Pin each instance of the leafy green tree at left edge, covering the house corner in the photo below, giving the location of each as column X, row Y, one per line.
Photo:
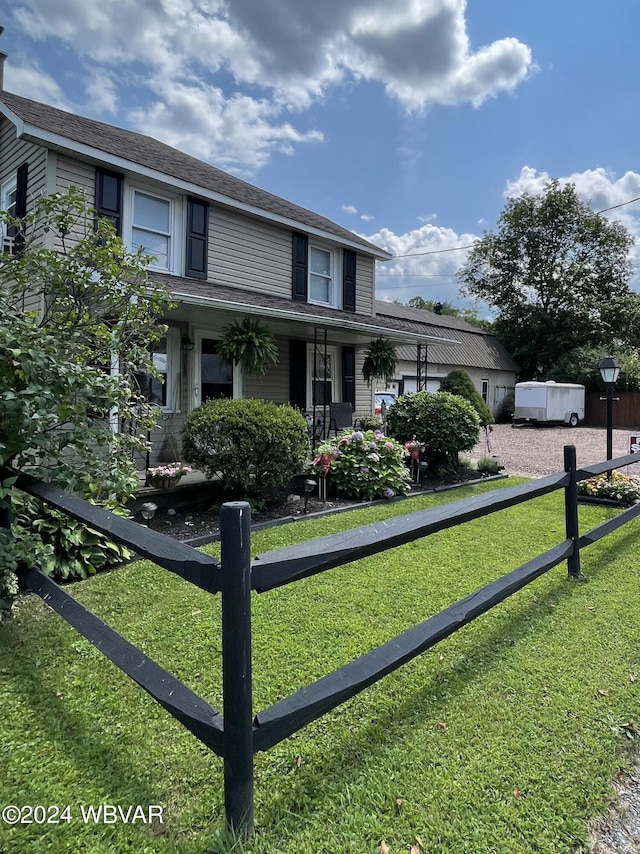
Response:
column 77, row 318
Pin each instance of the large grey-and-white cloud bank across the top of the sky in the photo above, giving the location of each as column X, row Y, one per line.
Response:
column 265, row 59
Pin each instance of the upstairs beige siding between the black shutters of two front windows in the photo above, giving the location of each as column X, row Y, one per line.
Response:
column 248, row 253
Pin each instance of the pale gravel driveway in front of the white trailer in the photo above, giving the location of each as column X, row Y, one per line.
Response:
column 539, row 450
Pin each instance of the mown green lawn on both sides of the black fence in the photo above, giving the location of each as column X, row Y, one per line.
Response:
column 502, row 739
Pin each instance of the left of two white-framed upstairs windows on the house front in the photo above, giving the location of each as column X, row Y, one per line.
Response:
column 153, row 227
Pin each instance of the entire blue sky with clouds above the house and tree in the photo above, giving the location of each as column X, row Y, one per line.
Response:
column 408, row 121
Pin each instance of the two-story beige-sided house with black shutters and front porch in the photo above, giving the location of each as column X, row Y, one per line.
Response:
column 226, row 249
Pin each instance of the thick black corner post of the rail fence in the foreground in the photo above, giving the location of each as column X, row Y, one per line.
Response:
column 235, row 543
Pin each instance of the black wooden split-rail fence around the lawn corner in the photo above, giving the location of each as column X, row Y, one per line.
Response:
column 235, row 575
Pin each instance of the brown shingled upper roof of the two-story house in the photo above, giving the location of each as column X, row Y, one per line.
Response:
column 40, row 122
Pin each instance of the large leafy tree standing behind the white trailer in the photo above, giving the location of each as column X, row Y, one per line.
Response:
column 557, row 275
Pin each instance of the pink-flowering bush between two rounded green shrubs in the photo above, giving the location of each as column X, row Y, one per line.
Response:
column 365, row 464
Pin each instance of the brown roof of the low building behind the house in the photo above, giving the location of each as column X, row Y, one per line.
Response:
column 475, row 348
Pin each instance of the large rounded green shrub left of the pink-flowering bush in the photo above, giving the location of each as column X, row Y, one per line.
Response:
column 255, row 446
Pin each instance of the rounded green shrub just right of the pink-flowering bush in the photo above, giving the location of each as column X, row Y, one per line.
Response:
column 446, row 423
